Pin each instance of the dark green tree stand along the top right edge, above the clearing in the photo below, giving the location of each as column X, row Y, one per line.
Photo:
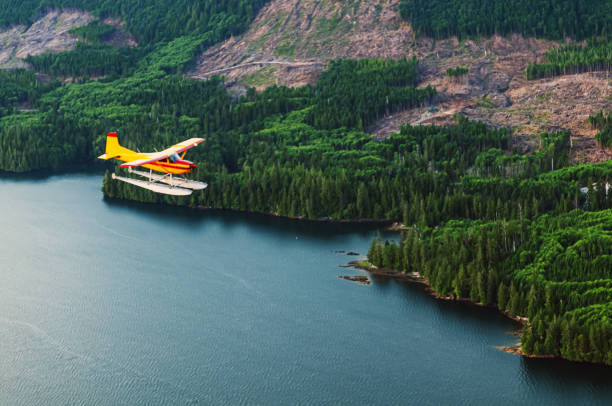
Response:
column 554, row 19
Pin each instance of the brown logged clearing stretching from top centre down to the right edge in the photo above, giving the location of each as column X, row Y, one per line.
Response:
column 290, row 42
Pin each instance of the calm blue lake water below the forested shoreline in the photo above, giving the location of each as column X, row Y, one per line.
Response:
column 114, row 303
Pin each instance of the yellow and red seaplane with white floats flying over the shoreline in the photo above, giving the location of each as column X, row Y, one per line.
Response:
column 167, row 162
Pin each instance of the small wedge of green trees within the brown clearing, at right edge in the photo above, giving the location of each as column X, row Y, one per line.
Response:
column 570, row 59
